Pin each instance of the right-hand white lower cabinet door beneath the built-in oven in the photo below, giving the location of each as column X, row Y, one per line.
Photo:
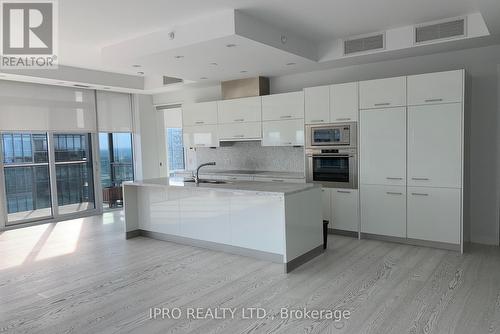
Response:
column 345, row 209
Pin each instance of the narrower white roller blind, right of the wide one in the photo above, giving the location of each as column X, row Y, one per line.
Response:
column 114, row 112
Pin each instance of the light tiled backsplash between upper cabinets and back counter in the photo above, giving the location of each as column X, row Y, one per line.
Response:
column 250, row 156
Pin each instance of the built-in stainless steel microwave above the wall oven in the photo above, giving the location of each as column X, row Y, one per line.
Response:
column 335, row 134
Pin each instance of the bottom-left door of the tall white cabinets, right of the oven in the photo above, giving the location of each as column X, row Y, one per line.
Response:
column 383, row 210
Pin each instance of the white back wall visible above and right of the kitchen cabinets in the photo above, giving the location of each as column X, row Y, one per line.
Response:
column 481, row 65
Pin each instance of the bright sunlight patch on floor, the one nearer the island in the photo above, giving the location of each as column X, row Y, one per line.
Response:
column 62, row 240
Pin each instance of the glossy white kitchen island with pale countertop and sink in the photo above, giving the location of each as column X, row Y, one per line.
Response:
column 276, row 222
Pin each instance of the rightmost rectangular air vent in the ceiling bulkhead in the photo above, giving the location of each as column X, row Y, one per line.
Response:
column 438, row 31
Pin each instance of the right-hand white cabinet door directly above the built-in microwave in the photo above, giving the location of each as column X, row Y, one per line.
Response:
column 344, row 102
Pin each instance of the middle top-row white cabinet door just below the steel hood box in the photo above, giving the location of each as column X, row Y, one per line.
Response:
column 248, row 109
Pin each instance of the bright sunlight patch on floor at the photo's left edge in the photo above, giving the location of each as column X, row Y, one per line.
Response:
column 18, row 244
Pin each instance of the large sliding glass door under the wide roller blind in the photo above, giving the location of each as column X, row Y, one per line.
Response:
column 47, row 175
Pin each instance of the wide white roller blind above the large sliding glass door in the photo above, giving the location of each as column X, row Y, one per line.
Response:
column 35, row 107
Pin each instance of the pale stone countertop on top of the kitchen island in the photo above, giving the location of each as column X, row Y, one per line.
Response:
column 249, row 186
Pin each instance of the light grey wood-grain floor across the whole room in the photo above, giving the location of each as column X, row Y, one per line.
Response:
column 81, row 276
